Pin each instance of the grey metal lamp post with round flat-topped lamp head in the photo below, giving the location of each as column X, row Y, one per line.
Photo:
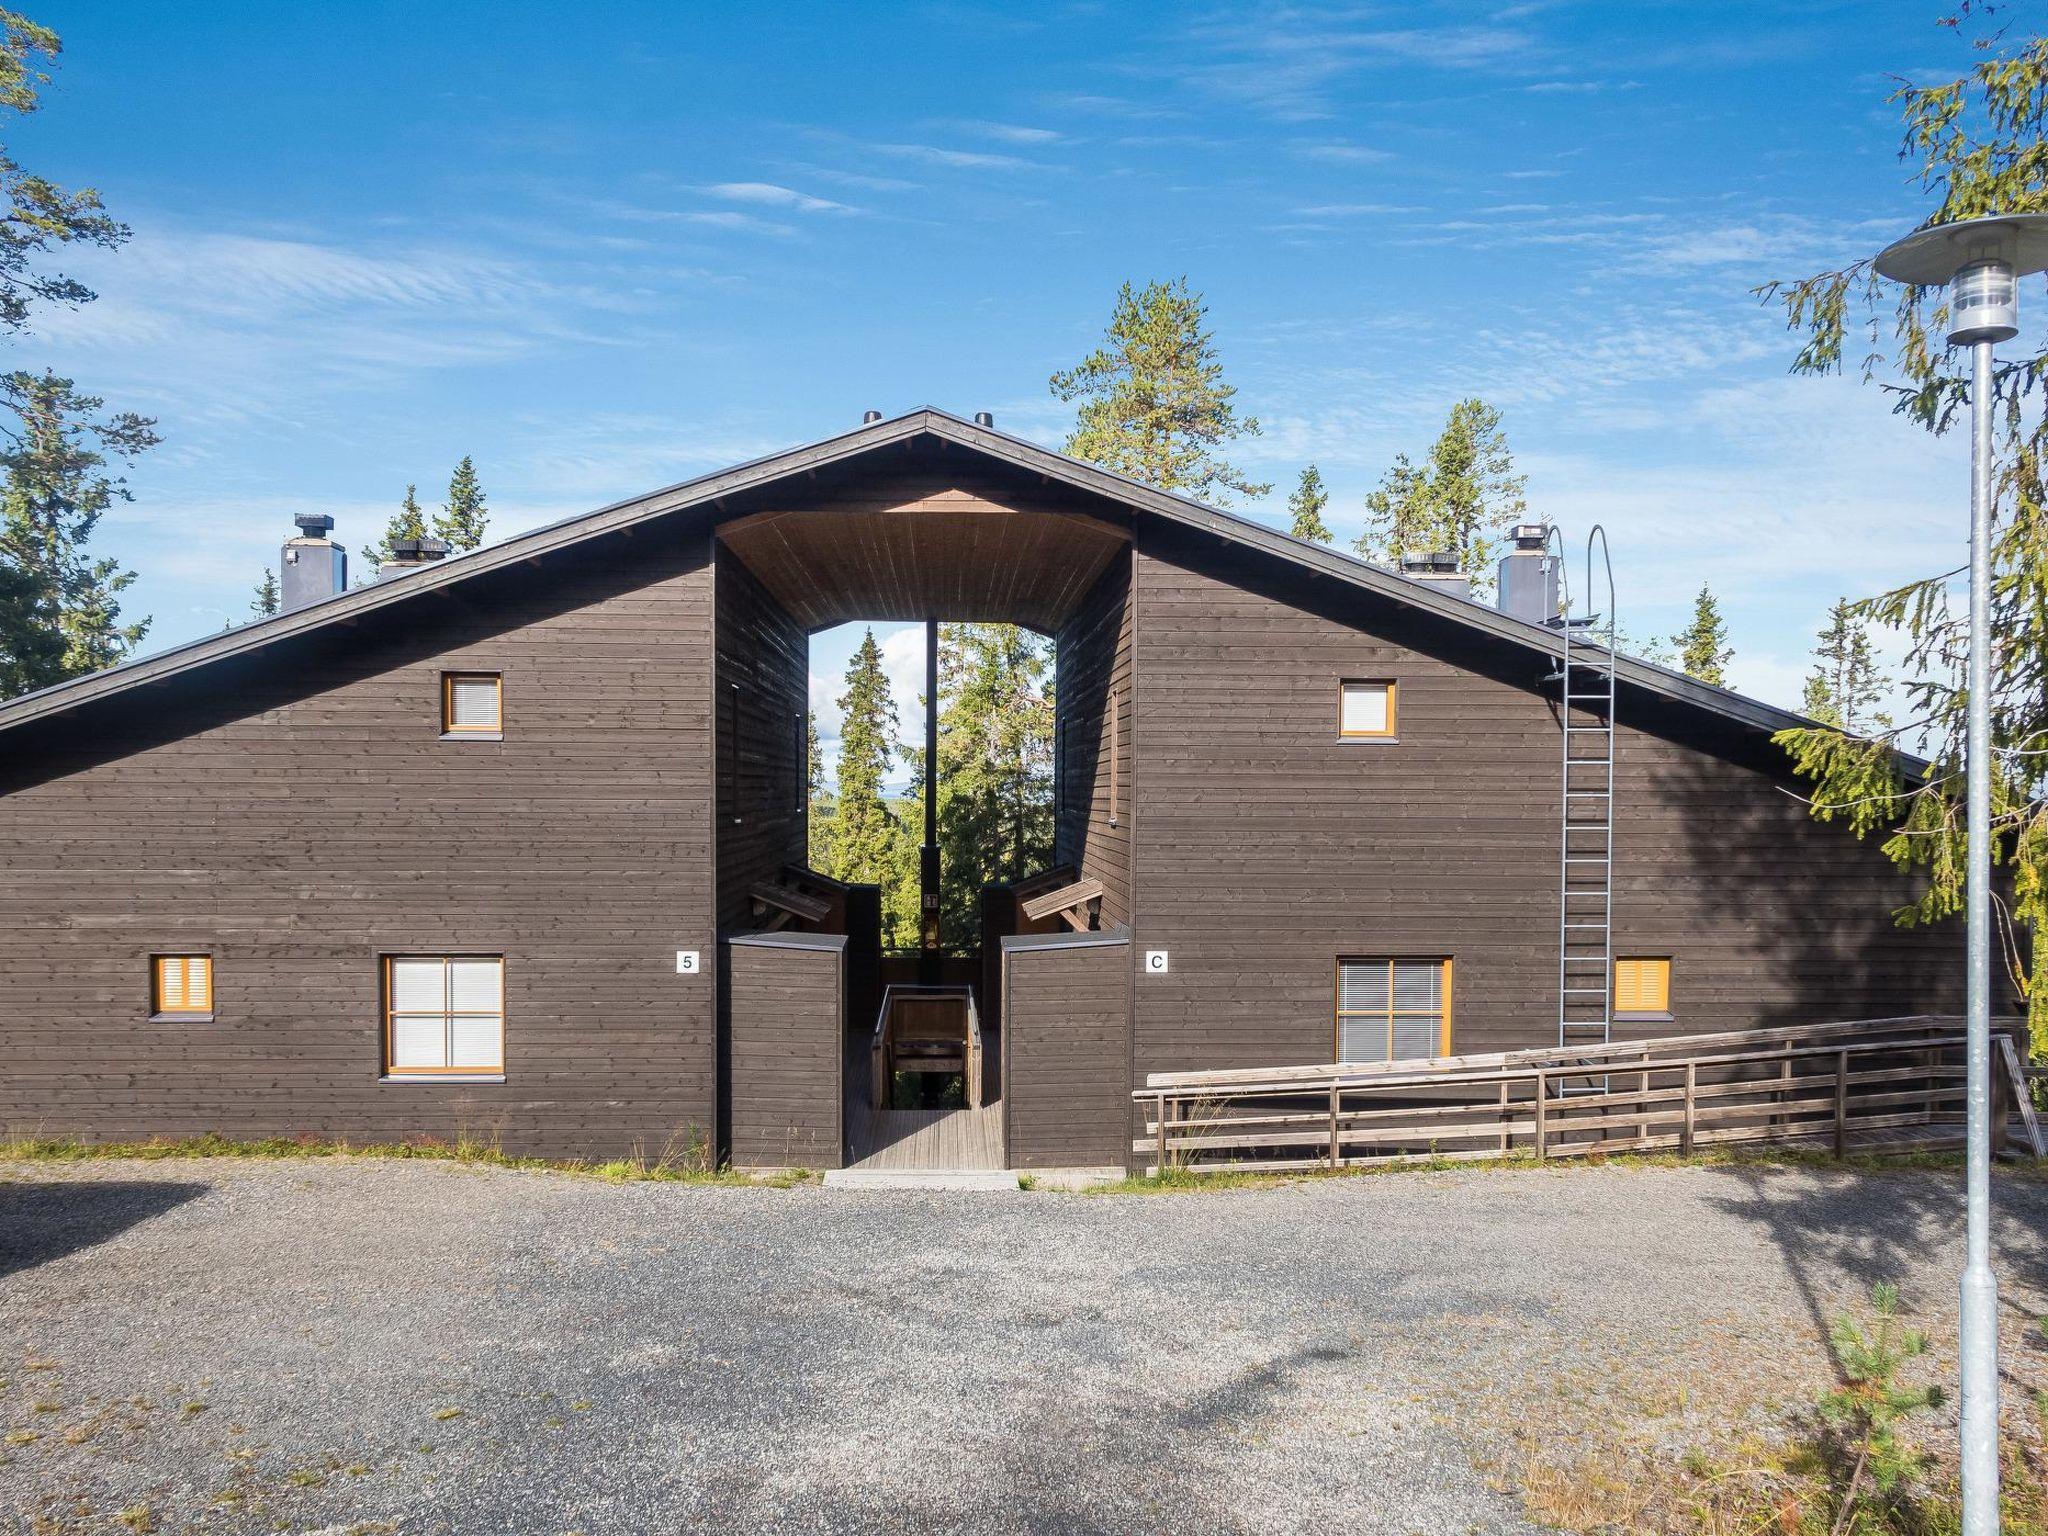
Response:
column 1981, row 261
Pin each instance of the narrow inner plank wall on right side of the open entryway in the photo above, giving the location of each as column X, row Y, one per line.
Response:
column 1097, row 806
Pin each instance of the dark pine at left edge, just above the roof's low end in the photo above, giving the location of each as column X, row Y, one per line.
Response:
column 62, row 613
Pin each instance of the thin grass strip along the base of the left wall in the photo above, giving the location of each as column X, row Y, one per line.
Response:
column 683, row 1160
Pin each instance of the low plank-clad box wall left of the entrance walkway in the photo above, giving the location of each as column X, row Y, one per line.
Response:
column 787, row 1002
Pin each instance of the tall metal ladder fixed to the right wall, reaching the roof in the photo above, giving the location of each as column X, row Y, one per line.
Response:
column 1586, row 816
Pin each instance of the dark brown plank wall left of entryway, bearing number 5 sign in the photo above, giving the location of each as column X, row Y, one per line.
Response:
column 304, row 818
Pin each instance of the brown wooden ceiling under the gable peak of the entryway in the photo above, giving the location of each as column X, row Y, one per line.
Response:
column 927, row 546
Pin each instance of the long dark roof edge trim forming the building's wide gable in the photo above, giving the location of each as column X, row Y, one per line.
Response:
column 1000, row 447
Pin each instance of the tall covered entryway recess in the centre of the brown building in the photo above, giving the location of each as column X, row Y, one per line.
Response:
column 923, row 1054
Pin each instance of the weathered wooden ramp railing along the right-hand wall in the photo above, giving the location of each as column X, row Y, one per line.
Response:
column 1893, row 1084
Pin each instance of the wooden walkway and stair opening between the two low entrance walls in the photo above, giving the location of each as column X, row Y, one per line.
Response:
column 925, row 1052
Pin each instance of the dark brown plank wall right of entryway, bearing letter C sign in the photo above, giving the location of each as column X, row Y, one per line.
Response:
column 1269, row 847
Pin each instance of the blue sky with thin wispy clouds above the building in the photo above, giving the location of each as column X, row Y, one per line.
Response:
column 611, row 249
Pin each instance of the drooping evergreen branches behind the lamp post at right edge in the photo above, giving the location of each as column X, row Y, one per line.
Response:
column 1975, row 144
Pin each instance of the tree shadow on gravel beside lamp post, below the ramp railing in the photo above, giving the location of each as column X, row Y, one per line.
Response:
column 1840, row 1236
